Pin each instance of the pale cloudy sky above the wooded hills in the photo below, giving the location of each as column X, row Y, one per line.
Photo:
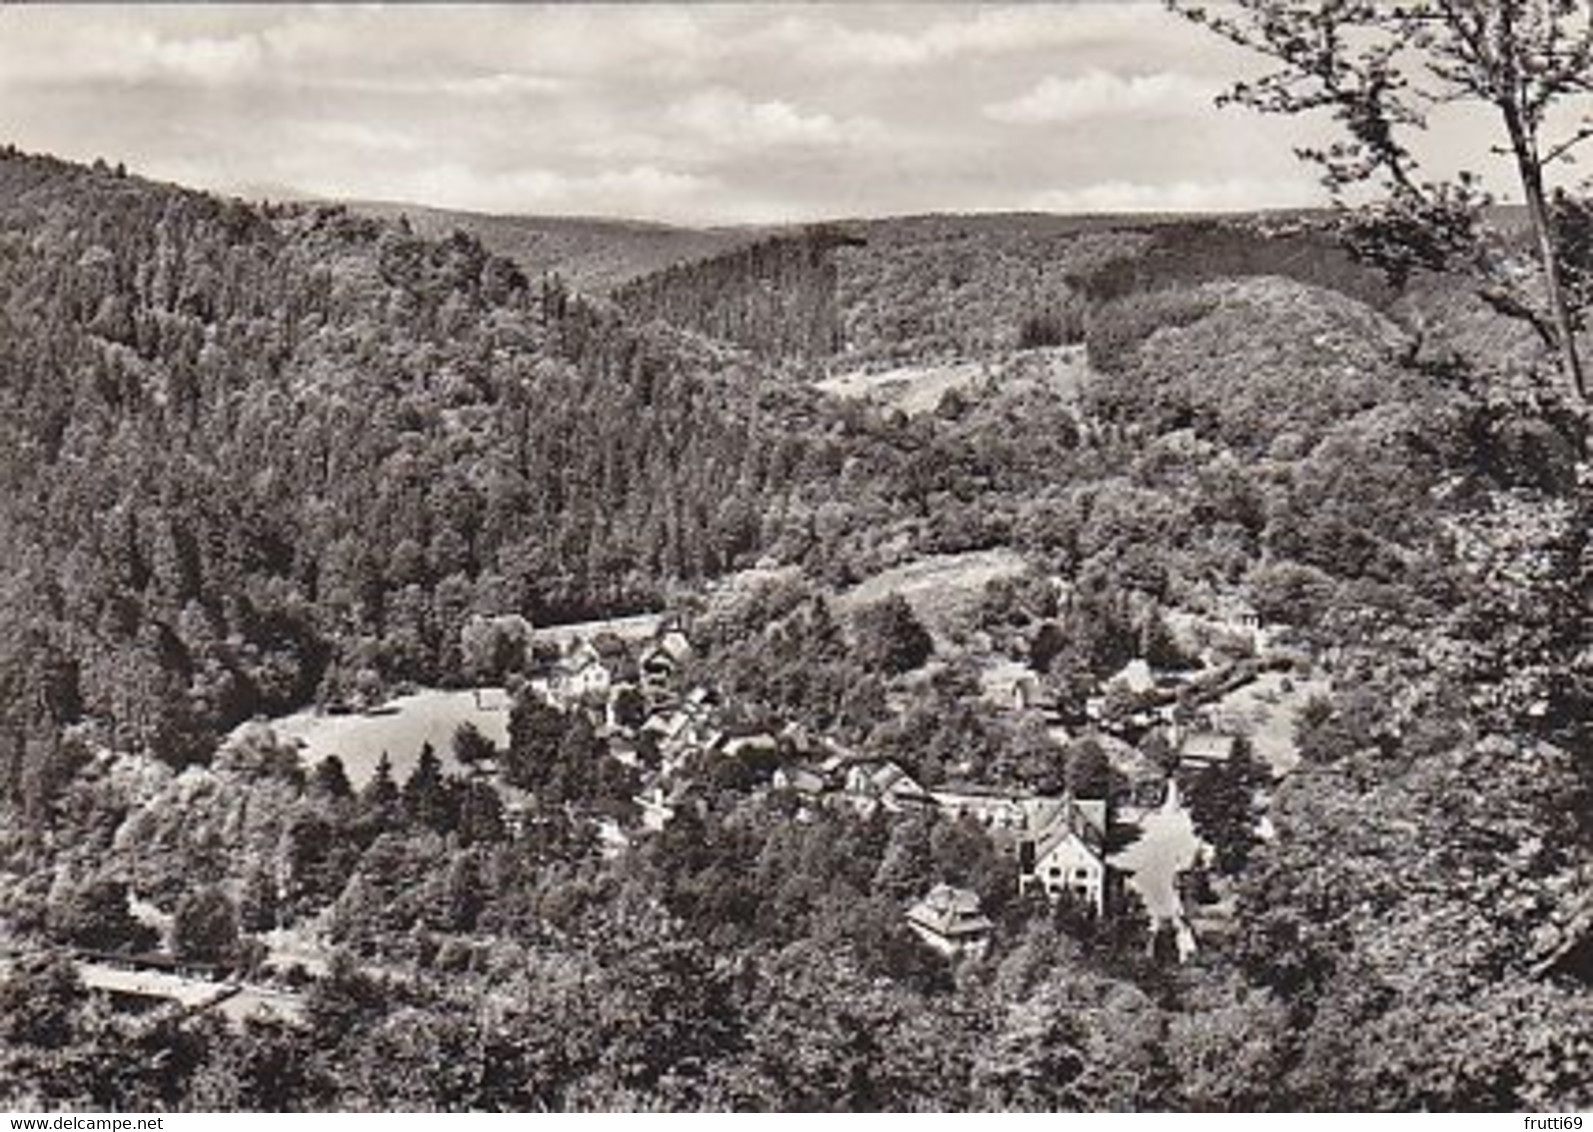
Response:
column 687, row 114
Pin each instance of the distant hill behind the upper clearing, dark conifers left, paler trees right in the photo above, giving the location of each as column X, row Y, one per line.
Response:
column 885, row 292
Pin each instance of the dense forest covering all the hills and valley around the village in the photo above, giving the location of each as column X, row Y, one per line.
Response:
column 257, row 458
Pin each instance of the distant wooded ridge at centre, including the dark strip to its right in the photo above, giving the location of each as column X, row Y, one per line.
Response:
column 879, row 294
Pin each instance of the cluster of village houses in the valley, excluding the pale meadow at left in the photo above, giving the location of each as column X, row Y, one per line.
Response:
column 1243, row 685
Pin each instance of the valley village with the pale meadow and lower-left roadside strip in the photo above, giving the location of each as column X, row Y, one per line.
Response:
column 1111, row 854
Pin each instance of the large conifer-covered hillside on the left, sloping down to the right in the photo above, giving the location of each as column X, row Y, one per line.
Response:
column 251, row 456
